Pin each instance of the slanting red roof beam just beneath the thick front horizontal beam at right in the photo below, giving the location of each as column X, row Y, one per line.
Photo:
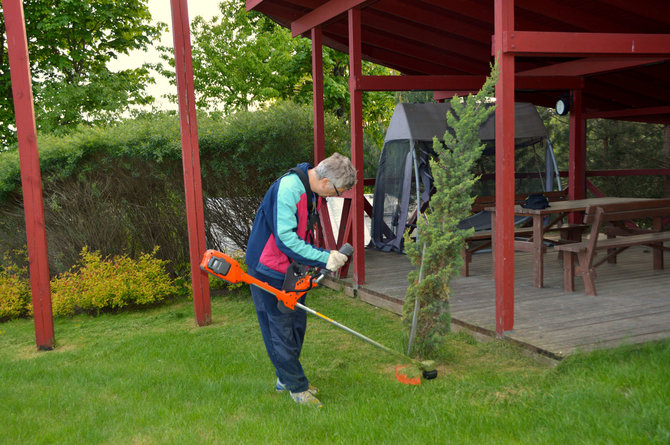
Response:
column 591, row 65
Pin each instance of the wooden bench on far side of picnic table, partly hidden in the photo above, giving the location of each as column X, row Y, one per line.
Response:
column 481, row 239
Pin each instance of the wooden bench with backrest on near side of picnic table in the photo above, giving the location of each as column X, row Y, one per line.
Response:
column 611, row 218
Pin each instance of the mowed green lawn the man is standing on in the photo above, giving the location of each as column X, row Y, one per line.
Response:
column 155, row 377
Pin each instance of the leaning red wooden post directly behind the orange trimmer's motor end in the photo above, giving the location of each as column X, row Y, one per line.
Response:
column 191, row 159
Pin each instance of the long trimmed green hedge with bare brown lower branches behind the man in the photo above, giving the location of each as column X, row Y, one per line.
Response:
column 118, row 189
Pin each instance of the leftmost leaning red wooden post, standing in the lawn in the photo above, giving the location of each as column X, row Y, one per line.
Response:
column 31, row 179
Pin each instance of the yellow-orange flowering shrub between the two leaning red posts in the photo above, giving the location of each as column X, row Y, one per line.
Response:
column 98, row 283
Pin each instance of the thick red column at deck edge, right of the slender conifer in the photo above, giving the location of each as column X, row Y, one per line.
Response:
column 504, row 219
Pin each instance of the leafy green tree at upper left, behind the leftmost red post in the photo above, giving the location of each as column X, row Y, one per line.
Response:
column 70, row 43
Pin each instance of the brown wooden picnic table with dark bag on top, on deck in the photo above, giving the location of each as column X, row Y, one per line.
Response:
column 556, row 212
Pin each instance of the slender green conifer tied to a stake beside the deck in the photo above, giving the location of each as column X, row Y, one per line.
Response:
column 436, row 251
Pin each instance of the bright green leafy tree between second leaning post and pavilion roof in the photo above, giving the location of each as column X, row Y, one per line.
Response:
column 243, row 59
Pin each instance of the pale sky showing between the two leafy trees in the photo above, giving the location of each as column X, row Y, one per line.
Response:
column 160, row 12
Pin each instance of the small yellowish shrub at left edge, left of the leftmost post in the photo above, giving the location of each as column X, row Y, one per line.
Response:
column 15, row 296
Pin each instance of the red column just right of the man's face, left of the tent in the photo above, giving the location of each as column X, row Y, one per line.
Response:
column 356, row 96
